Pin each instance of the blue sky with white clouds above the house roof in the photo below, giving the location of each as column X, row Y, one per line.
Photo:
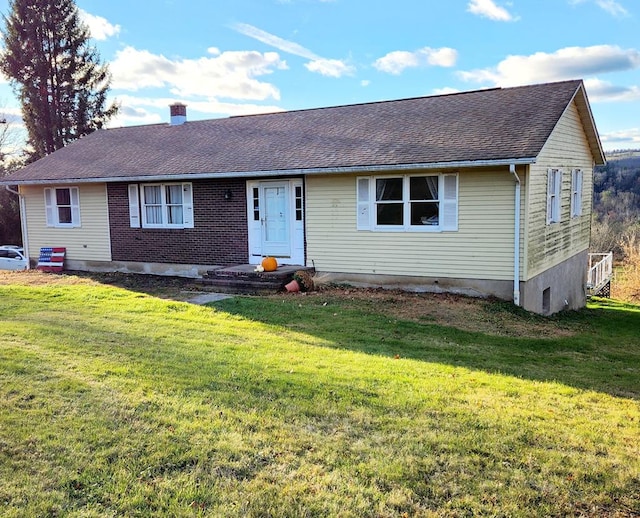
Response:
column 224, row 57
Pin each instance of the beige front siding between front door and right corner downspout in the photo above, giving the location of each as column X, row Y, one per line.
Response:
column 481, row 248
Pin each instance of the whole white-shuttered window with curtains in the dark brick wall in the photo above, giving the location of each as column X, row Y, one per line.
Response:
column 161, row 205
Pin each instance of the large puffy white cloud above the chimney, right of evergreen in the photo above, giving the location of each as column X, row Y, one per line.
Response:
column 227, row 74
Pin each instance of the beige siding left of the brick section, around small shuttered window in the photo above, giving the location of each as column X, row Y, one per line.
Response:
column 89, row 242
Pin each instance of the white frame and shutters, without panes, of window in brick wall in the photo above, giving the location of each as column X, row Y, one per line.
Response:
column 137, row 212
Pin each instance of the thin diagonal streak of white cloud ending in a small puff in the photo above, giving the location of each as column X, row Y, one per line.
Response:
column 323, row 66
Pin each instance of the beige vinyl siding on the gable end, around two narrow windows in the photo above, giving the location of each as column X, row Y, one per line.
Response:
column 566, row 149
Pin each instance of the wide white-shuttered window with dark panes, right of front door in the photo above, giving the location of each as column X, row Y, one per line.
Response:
column 408, row 202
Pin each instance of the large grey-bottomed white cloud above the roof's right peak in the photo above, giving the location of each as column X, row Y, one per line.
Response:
column 567, row 63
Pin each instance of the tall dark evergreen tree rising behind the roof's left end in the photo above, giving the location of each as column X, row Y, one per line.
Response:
column 56, row 73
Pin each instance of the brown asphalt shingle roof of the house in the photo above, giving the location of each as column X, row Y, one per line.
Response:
column 484, row 125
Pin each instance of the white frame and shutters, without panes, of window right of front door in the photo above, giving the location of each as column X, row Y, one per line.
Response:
column 447, row 209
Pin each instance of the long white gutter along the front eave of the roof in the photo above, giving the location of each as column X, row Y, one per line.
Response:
column 281, row 172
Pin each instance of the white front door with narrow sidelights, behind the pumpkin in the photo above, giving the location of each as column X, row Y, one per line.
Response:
column 275, row 218
